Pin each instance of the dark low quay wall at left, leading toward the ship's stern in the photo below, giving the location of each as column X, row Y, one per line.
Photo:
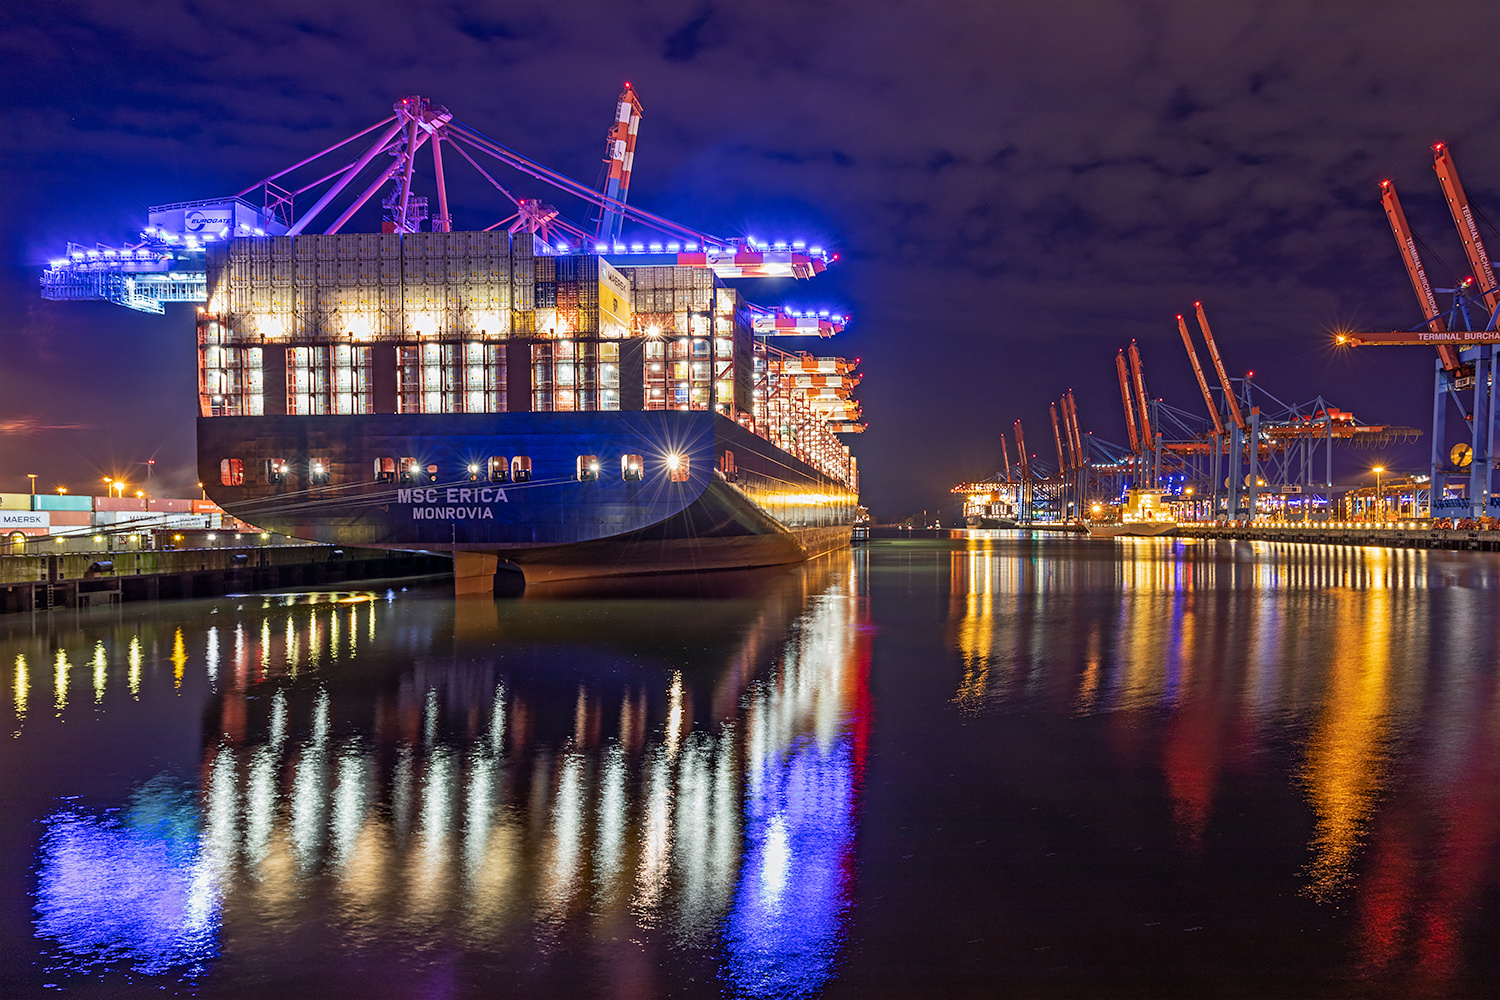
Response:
column 79, row 579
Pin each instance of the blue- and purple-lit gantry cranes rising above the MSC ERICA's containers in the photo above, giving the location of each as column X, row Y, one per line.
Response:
column 167, row 262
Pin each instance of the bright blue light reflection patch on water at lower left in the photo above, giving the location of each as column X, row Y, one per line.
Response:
column 130, row 891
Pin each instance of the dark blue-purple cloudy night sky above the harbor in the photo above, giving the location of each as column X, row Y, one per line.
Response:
column 1016, row 190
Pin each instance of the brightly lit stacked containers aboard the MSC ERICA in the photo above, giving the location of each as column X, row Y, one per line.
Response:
column 430, row 323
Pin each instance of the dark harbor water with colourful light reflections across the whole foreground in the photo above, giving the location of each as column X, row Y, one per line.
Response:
column 989, row 765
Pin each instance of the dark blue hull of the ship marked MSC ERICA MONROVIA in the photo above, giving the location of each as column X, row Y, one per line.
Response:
column 742, row 501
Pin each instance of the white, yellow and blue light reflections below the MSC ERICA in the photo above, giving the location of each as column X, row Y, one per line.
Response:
column 512, row 779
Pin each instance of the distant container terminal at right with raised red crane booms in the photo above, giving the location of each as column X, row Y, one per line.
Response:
column 1243, row 463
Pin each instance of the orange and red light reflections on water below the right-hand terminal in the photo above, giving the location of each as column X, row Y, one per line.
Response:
column 1225, row 647
